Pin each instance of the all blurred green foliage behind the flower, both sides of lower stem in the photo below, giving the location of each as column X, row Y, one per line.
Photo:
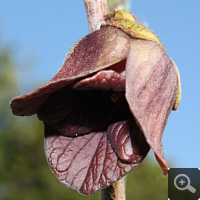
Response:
column 24, row 173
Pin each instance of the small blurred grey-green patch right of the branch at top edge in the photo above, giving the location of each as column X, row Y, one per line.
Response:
column 119, row 4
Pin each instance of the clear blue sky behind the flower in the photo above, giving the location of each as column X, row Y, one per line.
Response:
column 42, row 32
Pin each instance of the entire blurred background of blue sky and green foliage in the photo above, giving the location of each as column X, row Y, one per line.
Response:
column 34, row 39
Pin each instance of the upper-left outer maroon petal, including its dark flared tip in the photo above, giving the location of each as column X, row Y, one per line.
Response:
column 94, row 52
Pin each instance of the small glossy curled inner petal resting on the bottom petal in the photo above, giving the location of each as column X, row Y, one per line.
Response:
column 128, row 141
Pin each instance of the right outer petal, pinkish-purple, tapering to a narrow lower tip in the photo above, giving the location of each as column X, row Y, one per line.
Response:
column 151, row 89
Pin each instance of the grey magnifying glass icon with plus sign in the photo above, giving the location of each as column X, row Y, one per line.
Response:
column 182, row 182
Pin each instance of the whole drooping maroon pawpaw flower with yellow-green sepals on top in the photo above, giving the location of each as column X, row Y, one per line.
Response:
column 107, row 105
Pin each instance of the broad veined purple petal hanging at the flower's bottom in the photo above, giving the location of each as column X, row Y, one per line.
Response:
column 85, row 163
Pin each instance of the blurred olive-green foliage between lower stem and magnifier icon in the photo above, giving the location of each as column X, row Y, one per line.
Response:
column 147, row 182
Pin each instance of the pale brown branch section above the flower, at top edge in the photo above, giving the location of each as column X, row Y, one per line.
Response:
column 96, row 11
